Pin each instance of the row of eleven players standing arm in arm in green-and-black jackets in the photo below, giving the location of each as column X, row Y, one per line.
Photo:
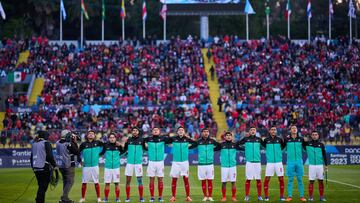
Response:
column 155, row 145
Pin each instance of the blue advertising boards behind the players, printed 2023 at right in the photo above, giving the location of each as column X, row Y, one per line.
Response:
column 336, row 155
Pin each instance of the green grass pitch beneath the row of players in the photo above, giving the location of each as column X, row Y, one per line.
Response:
column 343, row 186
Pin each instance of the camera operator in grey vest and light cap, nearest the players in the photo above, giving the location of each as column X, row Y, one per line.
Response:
column 66, row 150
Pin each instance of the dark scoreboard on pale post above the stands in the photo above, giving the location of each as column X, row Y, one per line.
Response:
column 204, row 10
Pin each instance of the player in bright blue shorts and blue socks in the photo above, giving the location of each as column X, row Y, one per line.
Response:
column 294, row 146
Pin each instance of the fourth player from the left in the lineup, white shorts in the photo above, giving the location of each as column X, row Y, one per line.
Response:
column 155, row 145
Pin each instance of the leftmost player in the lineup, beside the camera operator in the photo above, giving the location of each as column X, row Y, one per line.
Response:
column 90, row 151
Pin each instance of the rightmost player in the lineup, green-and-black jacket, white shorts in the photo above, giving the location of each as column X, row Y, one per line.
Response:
column 317, row 161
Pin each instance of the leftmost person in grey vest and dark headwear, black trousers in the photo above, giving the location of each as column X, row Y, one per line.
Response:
column 42, row 163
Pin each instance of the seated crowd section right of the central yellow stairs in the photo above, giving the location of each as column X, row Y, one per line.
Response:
column 315, row 86
